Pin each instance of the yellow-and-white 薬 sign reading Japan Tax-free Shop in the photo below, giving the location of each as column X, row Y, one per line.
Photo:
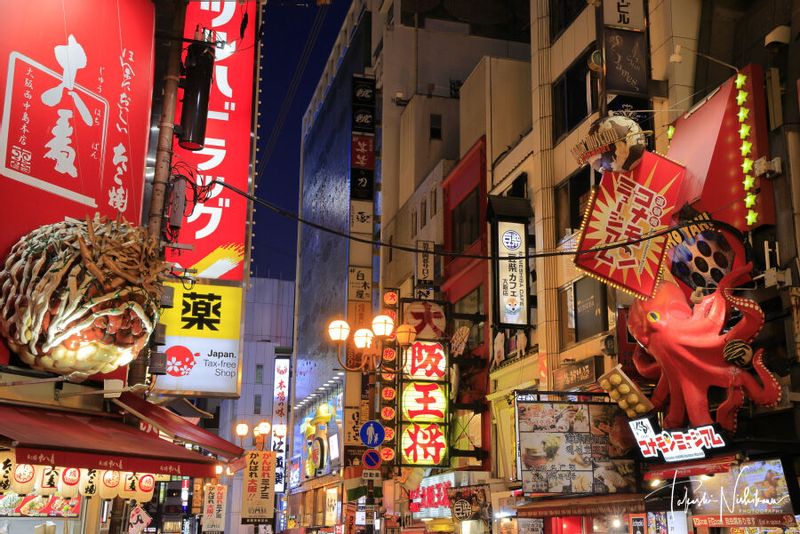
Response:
column 202, row 340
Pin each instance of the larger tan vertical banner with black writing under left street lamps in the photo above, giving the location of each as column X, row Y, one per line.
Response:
column 258, row 487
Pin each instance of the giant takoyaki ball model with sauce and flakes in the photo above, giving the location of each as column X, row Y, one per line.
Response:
column 80, row 295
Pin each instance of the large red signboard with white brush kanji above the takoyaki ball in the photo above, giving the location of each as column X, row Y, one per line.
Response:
column 75, row 110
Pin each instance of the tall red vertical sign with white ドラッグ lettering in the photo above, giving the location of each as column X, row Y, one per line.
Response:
column 216, row 228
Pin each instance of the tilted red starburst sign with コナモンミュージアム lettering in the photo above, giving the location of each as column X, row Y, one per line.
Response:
column 628, row 206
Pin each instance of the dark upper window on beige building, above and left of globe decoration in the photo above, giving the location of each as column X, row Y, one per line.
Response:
column 574, row 97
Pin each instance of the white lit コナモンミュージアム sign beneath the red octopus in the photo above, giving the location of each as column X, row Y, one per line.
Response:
column 675, row 446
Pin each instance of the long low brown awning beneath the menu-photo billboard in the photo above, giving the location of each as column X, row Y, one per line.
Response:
column 611, row 504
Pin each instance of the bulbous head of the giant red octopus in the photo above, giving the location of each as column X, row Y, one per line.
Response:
column 663, row 310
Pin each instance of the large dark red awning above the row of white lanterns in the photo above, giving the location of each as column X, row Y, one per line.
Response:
column 52, row 437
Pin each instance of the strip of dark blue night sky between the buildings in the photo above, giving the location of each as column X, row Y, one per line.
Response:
column 287, row 28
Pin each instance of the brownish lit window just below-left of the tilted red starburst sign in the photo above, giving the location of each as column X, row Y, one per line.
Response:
column 583, row 311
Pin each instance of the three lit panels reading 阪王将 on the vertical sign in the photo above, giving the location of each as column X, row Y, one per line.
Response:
column 424, row 408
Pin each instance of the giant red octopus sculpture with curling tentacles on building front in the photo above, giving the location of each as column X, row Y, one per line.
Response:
column 691, row 348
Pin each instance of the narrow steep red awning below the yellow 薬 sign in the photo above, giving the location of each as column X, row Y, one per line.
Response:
column 177, row 427
